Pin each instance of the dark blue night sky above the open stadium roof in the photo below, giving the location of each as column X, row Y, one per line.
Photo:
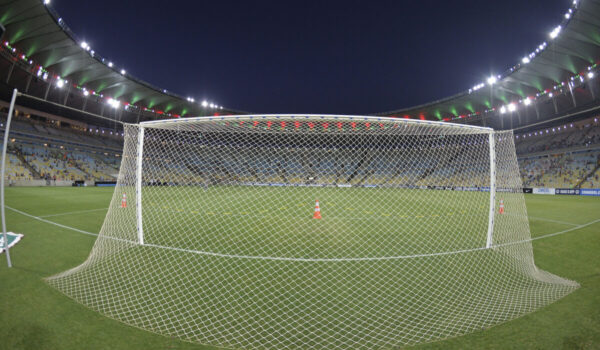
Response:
column 323, row 56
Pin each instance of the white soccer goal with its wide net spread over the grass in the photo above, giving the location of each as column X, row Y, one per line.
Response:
column 314, row 232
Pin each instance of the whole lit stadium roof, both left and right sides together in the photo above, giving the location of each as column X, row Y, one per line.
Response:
column 56, row 67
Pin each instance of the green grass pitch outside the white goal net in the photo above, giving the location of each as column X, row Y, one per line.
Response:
column 35, row 316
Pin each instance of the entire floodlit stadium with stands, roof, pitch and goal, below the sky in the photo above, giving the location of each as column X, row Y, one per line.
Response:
column 137, row 218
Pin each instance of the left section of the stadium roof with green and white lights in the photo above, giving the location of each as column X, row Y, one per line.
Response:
column 47, row 48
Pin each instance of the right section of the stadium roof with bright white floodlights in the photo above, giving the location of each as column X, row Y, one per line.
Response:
column 556, row 73
